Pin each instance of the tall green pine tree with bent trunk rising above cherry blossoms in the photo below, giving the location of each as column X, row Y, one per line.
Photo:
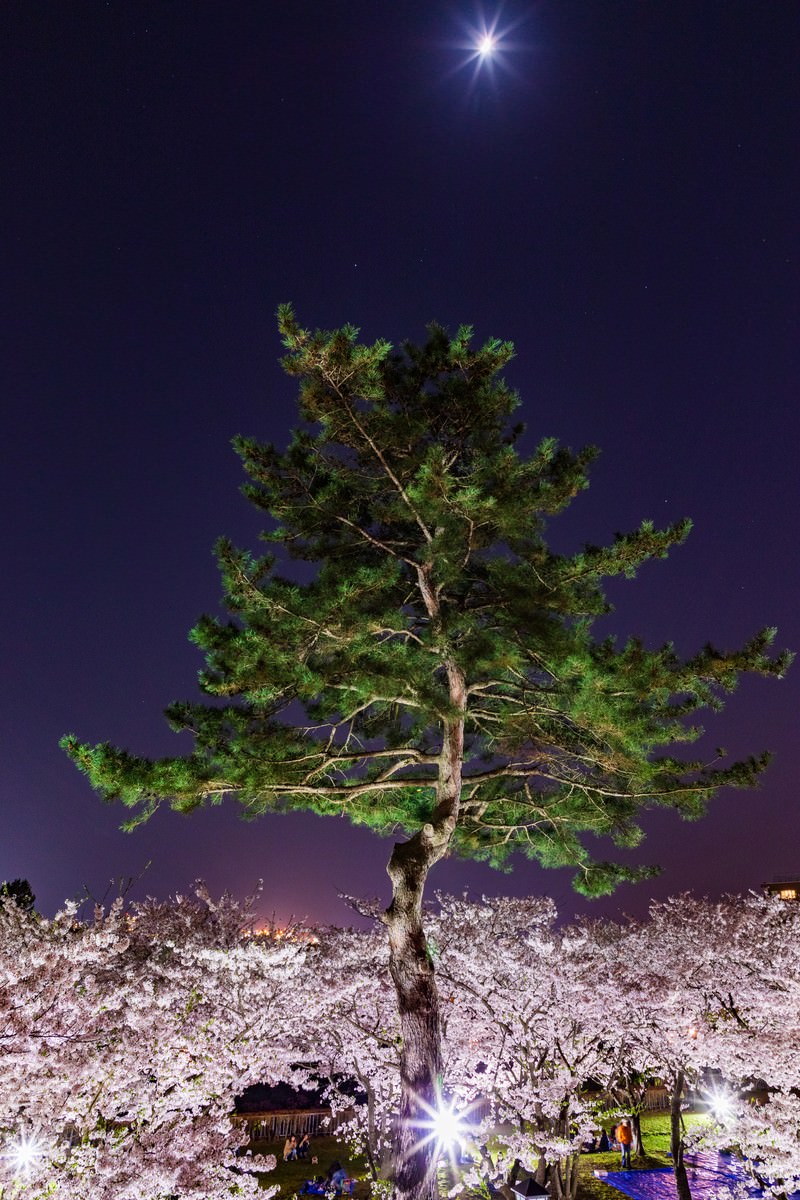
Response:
column 438, row 675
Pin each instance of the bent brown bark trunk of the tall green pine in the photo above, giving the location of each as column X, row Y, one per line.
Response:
column 416, row 1153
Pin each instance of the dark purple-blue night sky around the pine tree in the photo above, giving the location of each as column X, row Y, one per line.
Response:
column 617, row 191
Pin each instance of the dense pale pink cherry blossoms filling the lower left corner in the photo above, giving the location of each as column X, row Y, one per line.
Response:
column 125, row 1041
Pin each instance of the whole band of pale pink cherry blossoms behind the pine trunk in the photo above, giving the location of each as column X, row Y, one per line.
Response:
column 127, row 1040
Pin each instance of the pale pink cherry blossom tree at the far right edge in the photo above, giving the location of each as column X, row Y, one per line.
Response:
column 707, row 997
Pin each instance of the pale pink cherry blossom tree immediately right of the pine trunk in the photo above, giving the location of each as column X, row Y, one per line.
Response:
column 520, row 1033
